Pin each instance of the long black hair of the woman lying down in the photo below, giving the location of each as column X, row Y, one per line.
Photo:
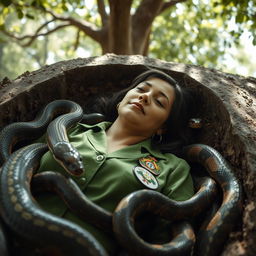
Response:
column 177, row 130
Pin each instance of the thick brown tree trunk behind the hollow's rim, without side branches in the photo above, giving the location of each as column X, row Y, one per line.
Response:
column 127, row 33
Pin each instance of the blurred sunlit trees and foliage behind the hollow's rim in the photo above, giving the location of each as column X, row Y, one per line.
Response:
column 38, row 32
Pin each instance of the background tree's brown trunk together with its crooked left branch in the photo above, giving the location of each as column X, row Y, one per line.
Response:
column 123, row 30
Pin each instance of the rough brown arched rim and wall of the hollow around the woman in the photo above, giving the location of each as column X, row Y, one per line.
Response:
column 228, row 109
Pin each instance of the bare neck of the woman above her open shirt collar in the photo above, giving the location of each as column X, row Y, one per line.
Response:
column 120, row 135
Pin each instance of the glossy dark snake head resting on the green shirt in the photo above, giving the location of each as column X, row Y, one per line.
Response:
column 68, row 157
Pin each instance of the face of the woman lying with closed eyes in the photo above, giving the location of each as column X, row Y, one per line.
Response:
column 148, row 105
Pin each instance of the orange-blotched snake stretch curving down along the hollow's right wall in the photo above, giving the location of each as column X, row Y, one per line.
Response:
column 212, row 238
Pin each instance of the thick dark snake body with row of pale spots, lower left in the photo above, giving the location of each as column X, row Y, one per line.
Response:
column 20, row 211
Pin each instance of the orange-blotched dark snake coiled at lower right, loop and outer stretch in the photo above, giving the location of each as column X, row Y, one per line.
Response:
column 210, row 238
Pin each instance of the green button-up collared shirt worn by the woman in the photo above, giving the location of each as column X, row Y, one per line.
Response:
column 109, row 177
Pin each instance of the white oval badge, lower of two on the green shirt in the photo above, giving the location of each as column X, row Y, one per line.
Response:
column 145, row 177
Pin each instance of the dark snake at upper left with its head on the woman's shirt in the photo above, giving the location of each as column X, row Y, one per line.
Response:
column 55, row 119
